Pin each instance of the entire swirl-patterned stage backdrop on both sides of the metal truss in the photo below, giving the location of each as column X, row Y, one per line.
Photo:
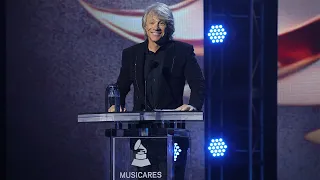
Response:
column 62, row 54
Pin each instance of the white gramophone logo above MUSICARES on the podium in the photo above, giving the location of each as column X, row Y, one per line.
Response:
column 141, row 159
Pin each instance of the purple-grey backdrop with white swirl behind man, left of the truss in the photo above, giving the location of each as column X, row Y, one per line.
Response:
column 61, row 55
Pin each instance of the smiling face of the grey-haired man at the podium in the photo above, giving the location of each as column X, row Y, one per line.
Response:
column 155, row 27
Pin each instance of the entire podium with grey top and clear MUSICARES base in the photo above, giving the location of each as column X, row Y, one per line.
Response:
column 147, row 145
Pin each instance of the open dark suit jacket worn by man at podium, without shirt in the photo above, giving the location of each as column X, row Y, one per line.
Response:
column 179, row 65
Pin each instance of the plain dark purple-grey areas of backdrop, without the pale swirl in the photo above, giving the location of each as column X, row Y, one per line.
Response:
column 59, row 60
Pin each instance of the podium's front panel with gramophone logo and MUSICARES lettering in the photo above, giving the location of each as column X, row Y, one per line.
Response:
column 141, row 158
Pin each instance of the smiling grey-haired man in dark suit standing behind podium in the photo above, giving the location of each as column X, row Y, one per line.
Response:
column 159, row 67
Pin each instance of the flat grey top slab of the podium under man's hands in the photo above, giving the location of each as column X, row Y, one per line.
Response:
column 142, row 116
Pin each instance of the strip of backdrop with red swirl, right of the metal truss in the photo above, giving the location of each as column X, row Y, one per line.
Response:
column 298, row 88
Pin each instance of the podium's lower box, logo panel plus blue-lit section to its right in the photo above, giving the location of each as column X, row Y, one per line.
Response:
column 151, row 157
